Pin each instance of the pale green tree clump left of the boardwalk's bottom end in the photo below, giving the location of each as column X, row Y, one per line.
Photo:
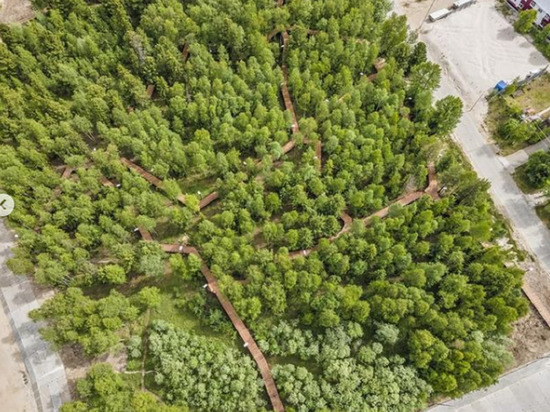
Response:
column 203, row 374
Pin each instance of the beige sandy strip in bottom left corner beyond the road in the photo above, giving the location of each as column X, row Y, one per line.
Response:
column 15, row 388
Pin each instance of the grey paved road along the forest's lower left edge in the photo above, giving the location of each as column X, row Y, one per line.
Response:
column 44, row 367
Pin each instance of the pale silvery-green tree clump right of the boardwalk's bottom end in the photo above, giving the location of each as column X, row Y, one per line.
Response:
column 352, row 377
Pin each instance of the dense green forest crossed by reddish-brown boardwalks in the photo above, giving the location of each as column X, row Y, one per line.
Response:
column 384, row 317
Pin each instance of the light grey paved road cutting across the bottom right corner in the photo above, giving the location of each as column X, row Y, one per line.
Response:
column 524, row 390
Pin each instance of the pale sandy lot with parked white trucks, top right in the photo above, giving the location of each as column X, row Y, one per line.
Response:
column 477, row 45
